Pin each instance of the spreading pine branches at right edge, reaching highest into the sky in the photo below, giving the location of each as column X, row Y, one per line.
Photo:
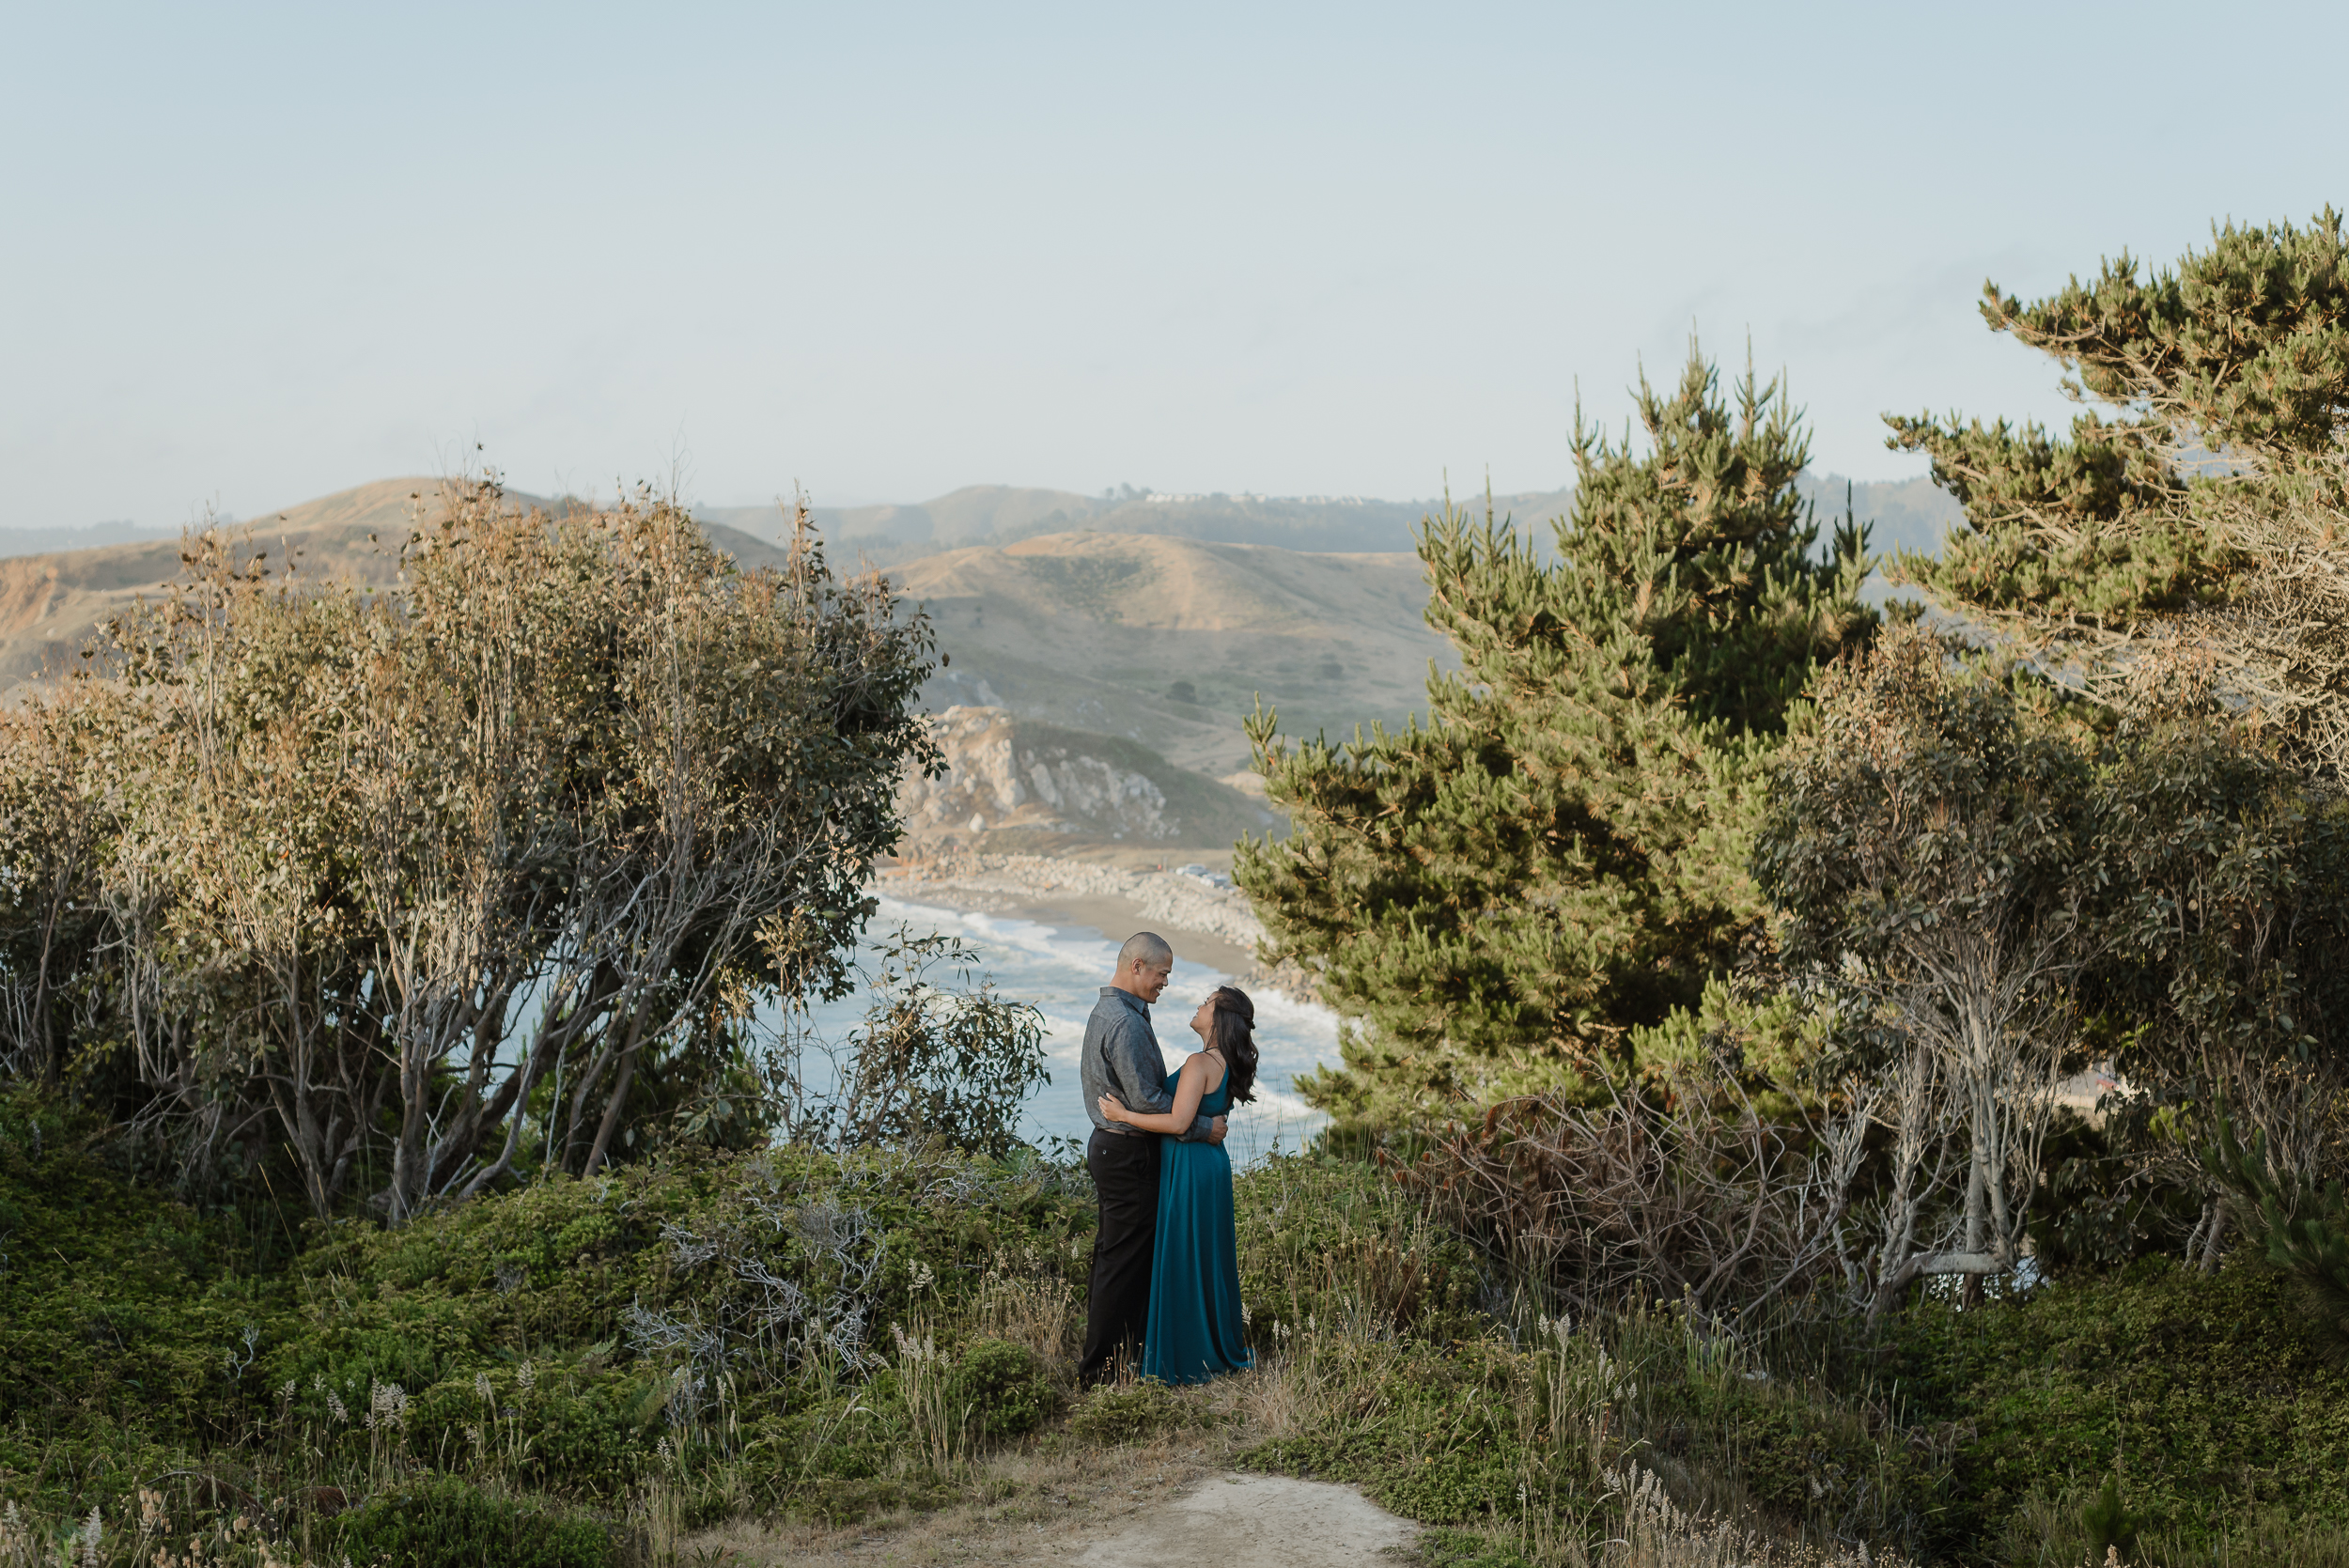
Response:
column 2195, row 536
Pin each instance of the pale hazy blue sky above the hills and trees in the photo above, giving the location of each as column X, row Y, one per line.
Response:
column 255, row 255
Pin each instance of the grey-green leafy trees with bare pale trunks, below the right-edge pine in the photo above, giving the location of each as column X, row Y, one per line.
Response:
column 1970, row 867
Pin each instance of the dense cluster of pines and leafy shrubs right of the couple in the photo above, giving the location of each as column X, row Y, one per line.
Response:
column 1981, row 952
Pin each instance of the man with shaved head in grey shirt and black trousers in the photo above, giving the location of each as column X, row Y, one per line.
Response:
column 1122, row 1057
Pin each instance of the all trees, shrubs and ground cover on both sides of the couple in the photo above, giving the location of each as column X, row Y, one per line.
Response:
column 1819, row 1086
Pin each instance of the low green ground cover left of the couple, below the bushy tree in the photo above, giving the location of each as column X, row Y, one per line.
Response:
column 699, row 1323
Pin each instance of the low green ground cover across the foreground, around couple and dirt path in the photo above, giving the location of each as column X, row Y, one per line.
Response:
column 588, row 1372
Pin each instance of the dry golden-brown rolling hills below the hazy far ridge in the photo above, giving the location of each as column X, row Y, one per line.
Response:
column 1145, row 637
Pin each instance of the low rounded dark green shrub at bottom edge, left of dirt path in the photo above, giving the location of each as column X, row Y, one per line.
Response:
column 452, row 1525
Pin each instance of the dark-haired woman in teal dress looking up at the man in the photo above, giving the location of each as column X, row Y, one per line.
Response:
column 1194, row 1325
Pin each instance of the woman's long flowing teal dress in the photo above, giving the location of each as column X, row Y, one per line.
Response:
column 1194, row 1327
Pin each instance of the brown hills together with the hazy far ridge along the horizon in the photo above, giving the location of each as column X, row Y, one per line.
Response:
column 1143, row 616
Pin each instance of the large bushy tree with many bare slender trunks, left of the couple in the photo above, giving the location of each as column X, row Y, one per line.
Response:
column 490, row 870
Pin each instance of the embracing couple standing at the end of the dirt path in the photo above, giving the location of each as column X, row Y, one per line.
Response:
column 1166, row 1269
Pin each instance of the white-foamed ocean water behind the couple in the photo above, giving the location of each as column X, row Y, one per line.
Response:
column 1063, row 973
